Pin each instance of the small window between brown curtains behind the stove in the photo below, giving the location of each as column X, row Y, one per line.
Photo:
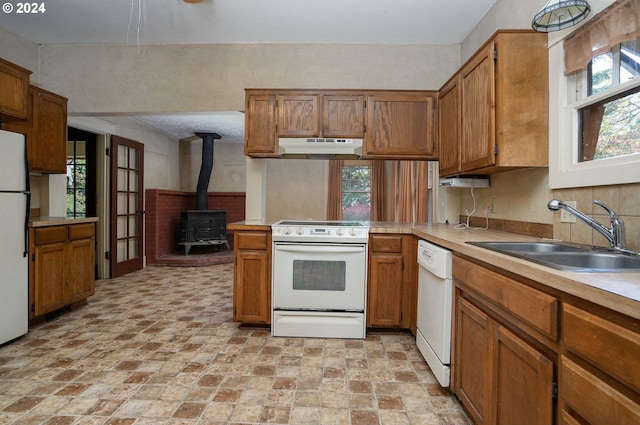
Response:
column 356, row 192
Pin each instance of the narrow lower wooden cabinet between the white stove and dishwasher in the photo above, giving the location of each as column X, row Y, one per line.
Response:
column 391, row 281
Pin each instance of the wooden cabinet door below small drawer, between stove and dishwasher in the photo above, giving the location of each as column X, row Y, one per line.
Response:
column 384, row 294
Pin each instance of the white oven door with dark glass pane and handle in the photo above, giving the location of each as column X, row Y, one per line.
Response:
column 308, row 276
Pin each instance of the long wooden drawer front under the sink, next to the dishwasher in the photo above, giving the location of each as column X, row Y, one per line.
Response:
column 533, row 307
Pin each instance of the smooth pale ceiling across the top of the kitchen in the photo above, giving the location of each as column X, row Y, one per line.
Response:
column 247, row 21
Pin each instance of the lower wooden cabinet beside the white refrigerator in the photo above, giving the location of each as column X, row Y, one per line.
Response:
column 62, row 266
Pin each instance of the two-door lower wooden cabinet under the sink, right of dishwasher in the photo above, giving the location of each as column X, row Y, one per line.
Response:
column 501, row 378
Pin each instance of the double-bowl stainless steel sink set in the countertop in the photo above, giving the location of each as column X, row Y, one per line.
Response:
column 569, row 257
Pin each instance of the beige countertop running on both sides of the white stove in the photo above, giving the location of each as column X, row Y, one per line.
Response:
column 616, row 291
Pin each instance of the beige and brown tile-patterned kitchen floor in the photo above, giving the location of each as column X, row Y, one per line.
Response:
column 159, row 347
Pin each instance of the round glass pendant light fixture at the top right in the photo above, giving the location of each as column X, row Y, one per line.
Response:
column 560, row 14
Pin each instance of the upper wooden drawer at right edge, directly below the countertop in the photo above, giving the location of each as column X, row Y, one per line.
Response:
column 607, row 345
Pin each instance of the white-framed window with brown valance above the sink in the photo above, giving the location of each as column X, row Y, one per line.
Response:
column 594, row 100
